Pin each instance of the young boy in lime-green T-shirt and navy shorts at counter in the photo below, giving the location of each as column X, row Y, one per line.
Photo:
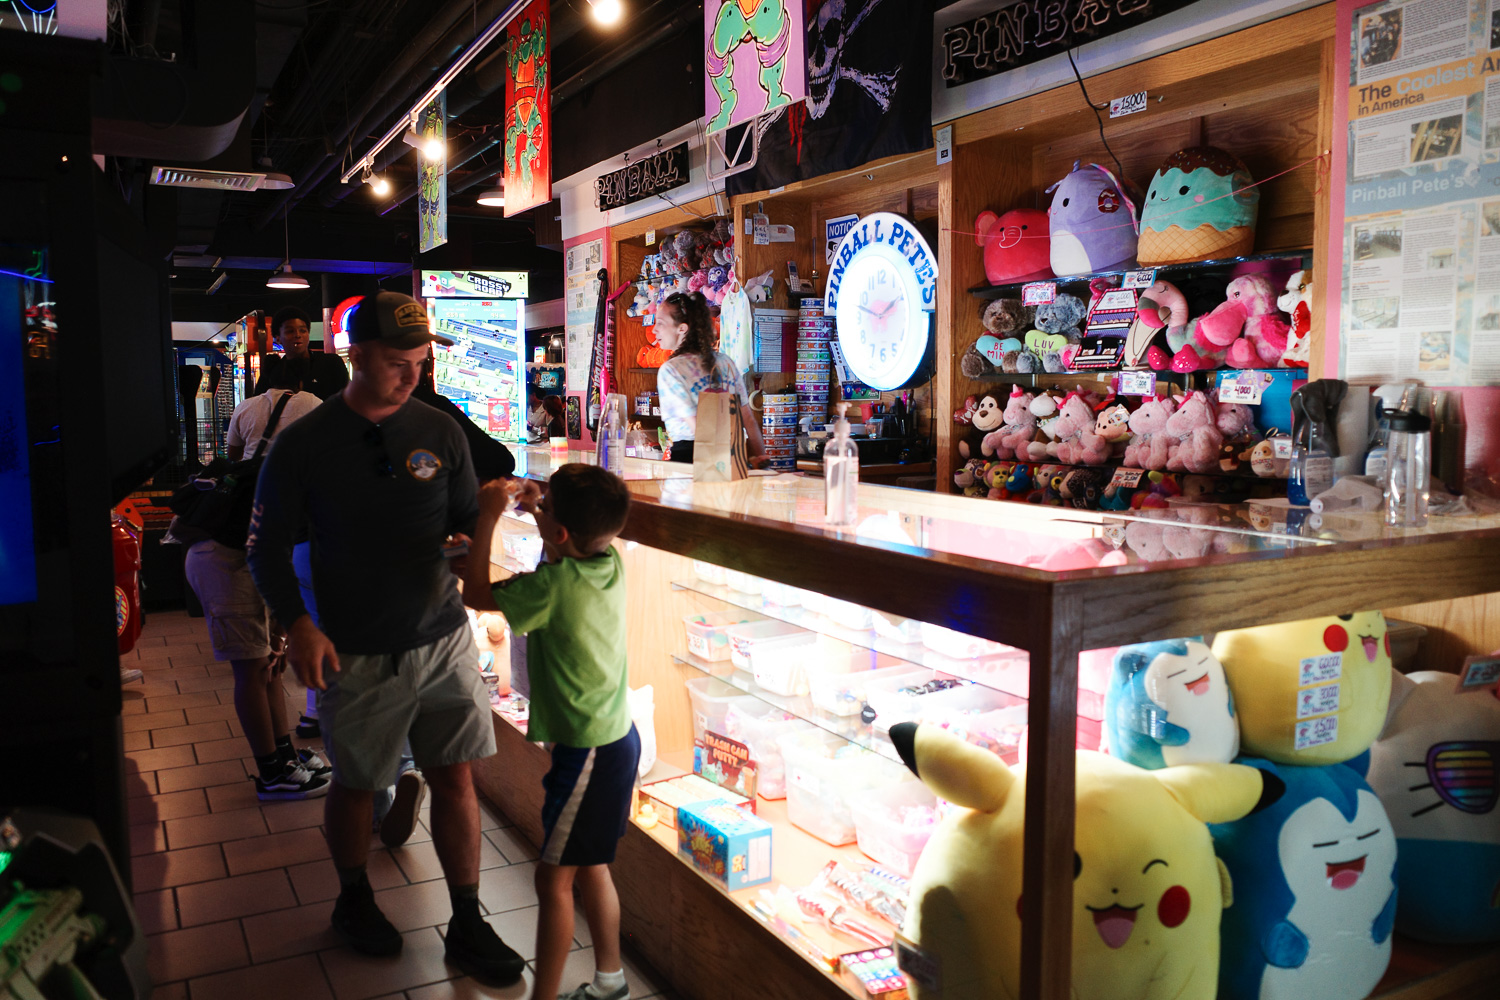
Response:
column 574, row 608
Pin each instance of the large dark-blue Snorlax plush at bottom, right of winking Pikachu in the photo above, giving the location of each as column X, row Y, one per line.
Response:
column 1315, row 873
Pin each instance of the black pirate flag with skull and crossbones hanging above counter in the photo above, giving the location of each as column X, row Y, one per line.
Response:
column 869, row 94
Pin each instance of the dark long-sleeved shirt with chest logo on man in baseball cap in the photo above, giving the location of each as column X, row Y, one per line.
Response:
column 379, row 573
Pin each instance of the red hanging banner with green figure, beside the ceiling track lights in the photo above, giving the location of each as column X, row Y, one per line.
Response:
column 529, row 112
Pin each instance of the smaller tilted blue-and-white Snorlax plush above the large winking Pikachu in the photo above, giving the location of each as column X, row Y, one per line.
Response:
column 1169, row 705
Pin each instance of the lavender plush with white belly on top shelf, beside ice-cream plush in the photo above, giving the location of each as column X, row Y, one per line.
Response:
column 1093, row 223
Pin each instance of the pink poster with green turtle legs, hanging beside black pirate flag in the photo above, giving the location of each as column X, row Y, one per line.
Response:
column 754, row 56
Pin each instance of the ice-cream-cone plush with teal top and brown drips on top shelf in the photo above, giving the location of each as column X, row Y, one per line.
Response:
column 1199, row 208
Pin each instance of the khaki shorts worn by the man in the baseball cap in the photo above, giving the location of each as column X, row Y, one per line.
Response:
column 433, row 696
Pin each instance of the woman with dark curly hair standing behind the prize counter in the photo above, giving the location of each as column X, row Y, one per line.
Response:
column 686, row 329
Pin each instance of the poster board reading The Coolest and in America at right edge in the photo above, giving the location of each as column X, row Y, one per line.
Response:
column 1421, row 235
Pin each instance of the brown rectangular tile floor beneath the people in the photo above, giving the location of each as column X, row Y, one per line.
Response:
column 236, row 894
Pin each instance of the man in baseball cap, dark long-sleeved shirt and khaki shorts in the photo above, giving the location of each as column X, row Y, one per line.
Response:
column 379, row 482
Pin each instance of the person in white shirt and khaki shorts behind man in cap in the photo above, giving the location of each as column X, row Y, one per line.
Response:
column 239, row 623
